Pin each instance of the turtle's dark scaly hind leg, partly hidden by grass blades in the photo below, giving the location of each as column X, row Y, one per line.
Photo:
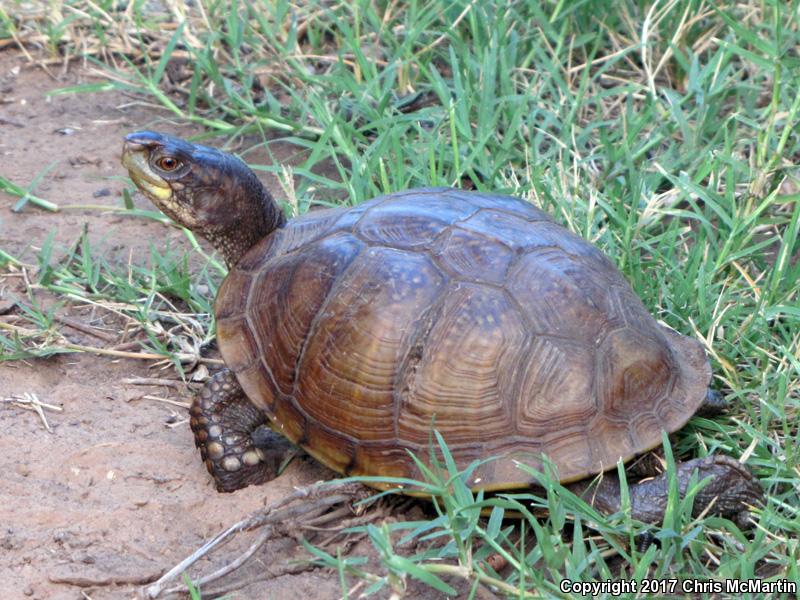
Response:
column 731, row 490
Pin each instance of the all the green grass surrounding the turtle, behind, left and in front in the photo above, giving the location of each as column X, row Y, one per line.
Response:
column 665, row 133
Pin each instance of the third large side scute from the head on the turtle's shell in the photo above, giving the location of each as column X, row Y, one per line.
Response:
column 460, row 382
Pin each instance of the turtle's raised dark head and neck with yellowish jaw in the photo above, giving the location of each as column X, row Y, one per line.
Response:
column 208, row 191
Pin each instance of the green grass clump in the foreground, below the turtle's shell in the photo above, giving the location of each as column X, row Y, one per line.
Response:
column 574, row 542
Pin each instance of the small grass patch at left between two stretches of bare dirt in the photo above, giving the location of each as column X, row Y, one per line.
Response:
column 163, row 306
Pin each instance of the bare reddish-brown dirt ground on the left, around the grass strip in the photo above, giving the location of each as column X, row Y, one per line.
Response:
column 116, row 494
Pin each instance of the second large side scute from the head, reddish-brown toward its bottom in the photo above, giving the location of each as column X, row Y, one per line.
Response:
column 361, row 336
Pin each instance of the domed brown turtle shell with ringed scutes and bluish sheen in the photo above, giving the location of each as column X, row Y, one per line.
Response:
column 358, row 331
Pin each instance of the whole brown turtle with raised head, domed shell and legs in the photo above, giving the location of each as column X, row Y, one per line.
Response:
column 354, row 332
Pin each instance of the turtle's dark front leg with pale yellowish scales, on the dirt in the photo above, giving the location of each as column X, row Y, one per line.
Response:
column 236, row 444
